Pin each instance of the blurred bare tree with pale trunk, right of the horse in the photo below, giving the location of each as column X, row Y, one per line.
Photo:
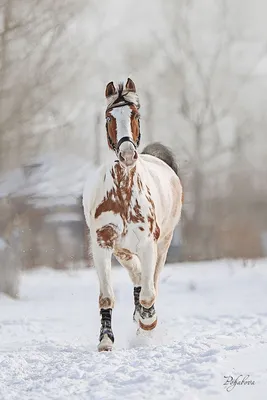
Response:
column 207, row 95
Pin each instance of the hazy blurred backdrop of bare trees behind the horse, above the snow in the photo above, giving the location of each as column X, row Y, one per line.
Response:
column 200, row 68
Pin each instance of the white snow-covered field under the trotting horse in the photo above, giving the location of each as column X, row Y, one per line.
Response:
column 212, row 323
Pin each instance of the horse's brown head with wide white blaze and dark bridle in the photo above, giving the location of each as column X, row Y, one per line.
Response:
column 122, row 121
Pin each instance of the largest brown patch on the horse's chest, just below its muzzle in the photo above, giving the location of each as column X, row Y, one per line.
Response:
column 118, row 199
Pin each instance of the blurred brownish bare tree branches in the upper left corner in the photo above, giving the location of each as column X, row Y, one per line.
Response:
column 36, row 60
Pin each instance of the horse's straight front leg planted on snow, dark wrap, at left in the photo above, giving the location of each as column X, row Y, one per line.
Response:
column 102, row 261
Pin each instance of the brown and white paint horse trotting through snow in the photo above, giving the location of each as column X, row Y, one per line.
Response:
column 131, row 209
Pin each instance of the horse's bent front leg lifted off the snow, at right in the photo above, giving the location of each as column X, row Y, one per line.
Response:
column 148, row 316
